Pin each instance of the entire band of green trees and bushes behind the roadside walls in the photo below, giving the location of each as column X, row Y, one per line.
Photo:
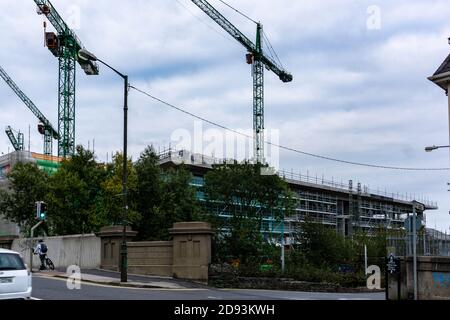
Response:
column 84, row 195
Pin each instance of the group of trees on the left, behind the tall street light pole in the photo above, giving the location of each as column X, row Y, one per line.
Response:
column 84, row 195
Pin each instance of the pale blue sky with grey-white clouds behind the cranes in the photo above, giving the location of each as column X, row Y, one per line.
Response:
column 360, row 91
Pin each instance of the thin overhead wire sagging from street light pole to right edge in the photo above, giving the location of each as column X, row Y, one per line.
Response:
column 284, row 147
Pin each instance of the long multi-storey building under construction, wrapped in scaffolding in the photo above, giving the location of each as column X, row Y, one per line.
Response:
column 345, row 207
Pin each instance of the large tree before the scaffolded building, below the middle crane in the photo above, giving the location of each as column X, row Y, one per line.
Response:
column 246, row 196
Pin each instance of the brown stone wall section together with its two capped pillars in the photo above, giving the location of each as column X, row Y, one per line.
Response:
column 186, row 257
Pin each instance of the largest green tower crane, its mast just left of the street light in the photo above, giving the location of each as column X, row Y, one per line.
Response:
column 65, row 46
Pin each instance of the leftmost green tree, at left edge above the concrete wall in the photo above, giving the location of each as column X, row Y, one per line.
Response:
column 28, row 184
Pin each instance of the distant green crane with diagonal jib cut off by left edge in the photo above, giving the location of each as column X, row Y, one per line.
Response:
column 45, row 127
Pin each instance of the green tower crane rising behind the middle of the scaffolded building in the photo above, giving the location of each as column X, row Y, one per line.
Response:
column 258, row 60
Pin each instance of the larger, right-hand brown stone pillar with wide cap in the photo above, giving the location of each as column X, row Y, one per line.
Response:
column 191, row 250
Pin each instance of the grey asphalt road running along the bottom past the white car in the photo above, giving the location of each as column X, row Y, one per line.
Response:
column 56, row 289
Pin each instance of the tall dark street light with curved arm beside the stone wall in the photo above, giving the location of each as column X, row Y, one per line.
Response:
column 86, row 55
